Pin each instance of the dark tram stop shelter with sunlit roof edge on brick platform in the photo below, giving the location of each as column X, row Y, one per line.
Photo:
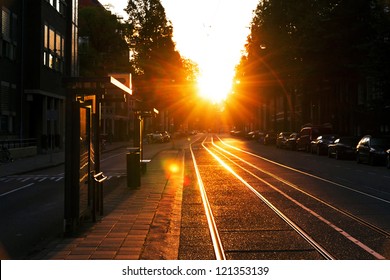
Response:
column 83, row 177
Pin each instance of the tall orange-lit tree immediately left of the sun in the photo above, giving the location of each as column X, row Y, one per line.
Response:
column 163, row 77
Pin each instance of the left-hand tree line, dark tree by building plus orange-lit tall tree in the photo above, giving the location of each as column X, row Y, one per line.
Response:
column 142, row 46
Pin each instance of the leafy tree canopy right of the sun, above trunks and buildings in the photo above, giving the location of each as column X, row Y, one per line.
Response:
column 302, row 48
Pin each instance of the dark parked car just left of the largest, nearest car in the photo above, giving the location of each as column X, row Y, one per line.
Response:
column 343, row 147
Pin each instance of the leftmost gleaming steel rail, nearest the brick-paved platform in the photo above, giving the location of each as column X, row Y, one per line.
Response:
column 215, row 238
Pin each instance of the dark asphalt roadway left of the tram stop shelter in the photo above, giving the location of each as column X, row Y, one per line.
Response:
column 31, row 210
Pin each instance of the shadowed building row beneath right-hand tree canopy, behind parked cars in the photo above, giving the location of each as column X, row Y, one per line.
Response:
column 349, row 107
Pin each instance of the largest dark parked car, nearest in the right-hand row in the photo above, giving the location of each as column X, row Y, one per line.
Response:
column 372, row 149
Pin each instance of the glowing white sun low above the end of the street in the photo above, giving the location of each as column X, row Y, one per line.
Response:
column 214, row 86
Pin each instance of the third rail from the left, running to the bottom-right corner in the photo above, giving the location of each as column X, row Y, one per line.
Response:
column 336, row 228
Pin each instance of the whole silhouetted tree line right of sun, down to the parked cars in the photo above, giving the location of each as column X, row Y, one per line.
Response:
column 319, row 61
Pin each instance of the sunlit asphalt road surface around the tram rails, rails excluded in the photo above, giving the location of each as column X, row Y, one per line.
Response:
column 250, row 231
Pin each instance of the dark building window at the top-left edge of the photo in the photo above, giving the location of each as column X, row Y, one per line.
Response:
column 8, row 34
